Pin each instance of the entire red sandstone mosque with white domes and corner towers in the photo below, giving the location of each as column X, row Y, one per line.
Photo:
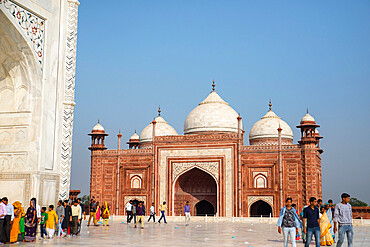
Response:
column 210, row 165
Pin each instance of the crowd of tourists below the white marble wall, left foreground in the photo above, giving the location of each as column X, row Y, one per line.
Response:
column 16, row 224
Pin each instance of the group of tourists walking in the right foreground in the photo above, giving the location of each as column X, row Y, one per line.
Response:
column 316, row 219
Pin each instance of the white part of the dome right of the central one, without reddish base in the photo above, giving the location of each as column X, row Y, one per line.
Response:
column 267, row 127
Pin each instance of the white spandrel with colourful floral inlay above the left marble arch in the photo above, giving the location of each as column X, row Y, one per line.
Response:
column 32, row 26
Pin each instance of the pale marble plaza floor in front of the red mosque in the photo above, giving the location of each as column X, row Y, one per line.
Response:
column 177, row 234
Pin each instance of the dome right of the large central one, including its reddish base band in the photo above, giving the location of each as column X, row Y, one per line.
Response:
column 265, row 130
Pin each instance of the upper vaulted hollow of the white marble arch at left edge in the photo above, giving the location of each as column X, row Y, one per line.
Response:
column 20, row 76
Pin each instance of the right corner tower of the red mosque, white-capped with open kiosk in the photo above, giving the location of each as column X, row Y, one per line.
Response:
column 311, row 158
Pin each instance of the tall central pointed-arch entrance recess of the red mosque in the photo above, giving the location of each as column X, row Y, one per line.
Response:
column 199, row 188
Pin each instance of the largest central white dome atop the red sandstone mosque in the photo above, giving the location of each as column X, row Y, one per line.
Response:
column 212, row 114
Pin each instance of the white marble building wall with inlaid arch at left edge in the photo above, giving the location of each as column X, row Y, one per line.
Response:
column 34, row 74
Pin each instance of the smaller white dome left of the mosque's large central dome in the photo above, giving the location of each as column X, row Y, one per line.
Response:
column 162, row 128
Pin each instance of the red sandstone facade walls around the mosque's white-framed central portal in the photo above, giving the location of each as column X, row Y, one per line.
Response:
column 301, row 173
